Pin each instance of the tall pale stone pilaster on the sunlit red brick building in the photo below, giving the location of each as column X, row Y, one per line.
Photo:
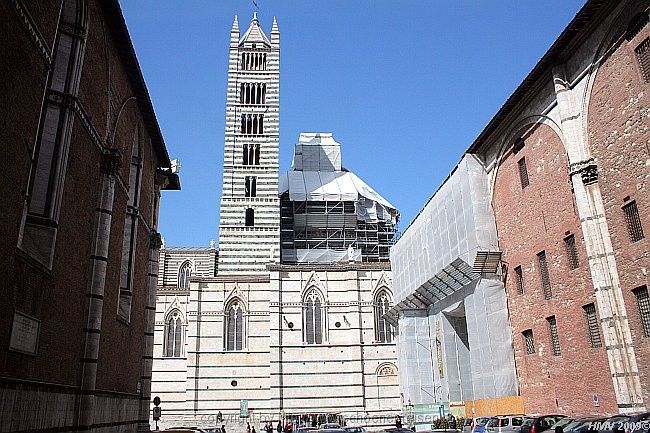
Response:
column 583, row 172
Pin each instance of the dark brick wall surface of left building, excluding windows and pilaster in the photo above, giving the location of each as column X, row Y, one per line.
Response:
column 57, row 296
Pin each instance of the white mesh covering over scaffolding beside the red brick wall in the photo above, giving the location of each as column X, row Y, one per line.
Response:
column 471, row 353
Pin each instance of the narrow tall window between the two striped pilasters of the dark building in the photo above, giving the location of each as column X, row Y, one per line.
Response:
column 130, row 232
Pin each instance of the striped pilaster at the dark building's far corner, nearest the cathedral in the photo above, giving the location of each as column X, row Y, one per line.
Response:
column 155, row 242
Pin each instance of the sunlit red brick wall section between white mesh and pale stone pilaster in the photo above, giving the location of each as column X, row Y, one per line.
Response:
column 533, row 219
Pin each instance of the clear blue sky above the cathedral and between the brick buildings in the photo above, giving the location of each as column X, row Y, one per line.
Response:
column 405, row 86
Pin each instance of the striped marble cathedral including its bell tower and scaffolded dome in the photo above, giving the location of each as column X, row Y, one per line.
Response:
column 287, row 317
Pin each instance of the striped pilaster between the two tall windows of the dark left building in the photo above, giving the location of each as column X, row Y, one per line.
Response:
column 110, row 164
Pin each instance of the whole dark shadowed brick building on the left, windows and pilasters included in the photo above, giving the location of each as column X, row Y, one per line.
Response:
column 85, row 162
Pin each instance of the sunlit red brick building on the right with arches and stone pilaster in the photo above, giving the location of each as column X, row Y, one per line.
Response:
column 566, row 160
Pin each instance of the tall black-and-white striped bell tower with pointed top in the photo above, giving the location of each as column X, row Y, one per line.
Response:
column 249, row 225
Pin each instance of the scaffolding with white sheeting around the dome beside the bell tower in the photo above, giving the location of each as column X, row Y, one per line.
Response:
column 327, row 213
